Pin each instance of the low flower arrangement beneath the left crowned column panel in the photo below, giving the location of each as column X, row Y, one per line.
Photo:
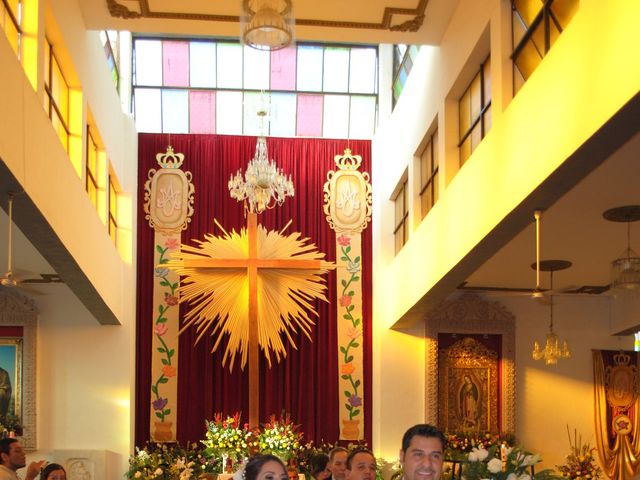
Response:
column 169, row 462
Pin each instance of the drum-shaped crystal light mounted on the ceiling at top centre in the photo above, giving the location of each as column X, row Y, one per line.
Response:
column 267, row 24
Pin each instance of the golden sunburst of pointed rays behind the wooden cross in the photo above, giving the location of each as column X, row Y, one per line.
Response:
column 216, row 284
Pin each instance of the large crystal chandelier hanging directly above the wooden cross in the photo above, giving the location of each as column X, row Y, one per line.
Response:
column 264, row 185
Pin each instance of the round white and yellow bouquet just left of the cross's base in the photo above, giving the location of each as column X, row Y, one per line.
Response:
column 227, row 438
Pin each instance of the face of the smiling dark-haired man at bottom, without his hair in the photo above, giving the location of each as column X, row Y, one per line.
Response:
column 423, row 459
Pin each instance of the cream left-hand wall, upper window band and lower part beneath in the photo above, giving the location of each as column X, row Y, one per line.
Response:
column 85, row 370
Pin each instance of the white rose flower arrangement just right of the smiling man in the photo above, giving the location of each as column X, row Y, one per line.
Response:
column 503, row 463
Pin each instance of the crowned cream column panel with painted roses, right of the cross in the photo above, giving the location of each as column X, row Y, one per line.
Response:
column 347, row 205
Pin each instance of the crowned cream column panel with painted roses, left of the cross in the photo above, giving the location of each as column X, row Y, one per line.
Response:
column 168, row 207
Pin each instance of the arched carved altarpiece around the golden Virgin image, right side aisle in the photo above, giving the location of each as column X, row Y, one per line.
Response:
column 473, row 318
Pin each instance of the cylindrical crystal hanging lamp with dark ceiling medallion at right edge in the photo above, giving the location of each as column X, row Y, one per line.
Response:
column 625, row 270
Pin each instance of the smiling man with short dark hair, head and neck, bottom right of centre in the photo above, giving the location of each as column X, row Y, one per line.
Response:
column 422, row 453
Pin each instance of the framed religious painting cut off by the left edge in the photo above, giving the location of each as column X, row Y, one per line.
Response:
column 10, row 379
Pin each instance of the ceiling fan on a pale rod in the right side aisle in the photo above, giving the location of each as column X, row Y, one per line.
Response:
column 539, row 292
